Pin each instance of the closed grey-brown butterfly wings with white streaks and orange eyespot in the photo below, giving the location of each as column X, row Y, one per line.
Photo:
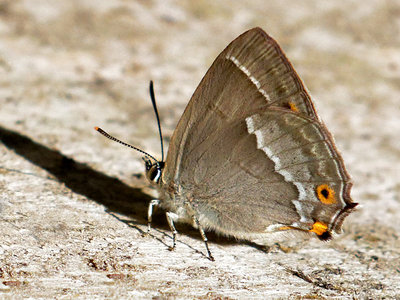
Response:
column 218, row 162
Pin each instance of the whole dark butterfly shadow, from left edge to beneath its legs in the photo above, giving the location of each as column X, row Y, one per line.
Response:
column 117, row 197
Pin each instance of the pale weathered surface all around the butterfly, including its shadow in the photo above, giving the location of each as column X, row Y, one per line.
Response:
column 70, row 228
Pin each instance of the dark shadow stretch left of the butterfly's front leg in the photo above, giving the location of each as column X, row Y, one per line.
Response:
column 115, row 195
